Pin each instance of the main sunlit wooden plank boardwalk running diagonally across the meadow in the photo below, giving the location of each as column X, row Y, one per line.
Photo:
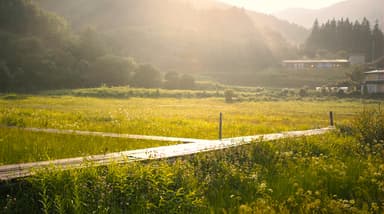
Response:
column 8, row 172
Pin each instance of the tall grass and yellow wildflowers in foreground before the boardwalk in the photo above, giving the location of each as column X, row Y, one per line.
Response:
column 322, row 174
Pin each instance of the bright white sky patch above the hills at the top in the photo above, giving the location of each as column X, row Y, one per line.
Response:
column 270, row 6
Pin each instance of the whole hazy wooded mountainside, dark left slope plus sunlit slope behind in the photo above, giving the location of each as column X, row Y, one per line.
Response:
column 107, row 42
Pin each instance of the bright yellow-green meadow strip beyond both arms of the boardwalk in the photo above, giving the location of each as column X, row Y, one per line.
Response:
column 196, row 118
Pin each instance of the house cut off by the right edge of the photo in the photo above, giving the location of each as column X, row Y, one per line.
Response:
column 373, row 83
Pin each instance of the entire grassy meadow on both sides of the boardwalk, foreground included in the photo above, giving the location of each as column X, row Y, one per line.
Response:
column 340, row 172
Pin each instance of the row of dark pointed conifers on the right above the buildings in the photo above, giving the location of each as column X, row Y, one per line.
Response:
column 344, row 36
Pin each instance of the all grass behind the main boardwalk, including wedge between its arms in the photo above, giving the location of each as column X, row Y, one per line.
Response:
column 196, row 118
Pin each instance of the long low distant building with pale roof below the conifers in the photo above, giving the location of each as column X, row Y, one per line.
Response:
column 315, row 64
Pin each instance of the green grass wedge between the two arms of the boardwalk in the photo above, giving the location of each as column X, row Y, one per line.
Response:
column 18, row 146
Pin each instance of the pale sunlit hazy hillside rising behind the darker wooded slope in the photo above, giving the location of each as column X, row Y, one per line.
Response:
column 176, row 35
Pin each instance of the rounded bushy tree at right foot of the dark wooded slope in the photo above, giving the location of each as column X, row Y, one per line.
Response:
column 147, row 76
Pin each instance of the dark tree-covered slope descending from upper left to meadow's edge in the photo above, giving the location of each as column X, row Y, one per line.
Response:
column 39, row 51
